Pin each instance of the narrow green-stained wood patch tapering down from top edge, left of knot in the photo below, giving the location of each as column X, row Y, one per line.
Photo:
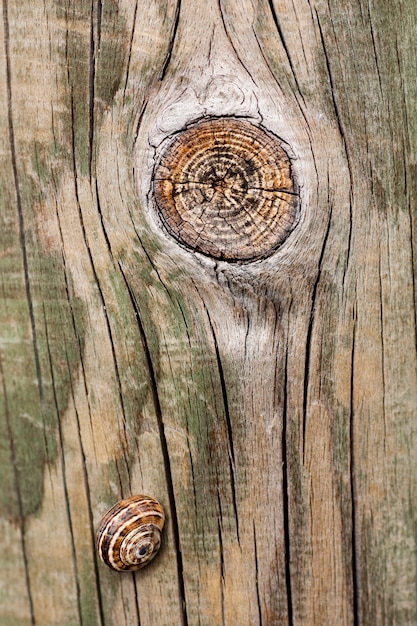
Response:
column 99, row 42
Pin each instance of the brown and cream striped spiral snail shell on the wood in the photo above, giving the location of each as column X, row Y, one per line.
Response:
column 129, row 534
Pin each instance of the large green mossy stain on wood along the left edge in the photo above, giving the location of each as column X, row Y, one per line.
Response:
column 39, row 357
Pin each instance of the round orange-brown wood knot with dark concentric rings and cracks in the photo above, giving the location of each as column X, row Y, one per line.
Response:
column 224, row 187
